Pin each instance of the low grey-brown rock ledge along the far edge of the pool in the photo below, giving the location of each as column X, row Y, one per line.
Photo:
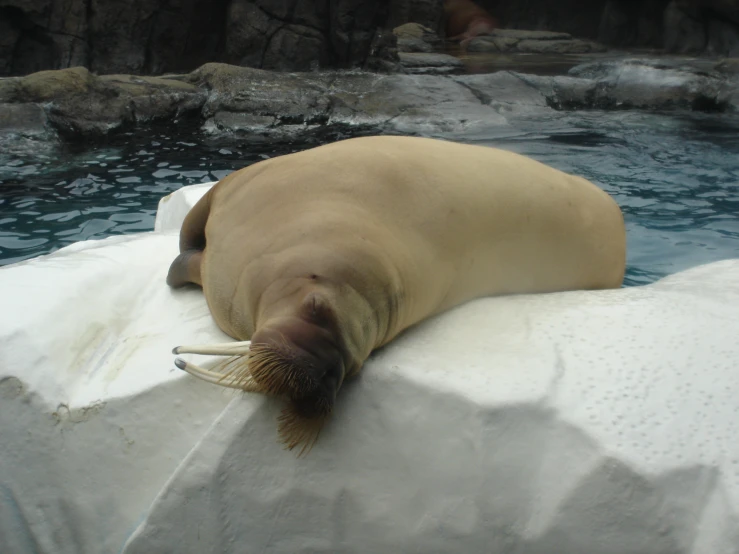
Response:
column 226, row 100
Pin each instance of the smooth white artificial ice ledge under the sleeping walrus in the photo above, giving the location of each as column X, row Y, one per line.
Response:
column 583, row 422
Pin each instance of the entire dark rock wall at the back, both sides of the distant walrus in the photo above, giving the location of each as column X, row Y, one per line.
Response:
column 159, row 36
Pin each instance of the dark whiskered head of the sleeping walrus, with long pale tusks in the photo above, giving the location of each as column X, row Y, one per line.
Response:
column 298, row 352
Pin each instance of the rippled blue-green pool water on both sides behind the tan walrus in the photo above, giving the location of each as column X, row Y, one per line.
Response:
column 676, row 178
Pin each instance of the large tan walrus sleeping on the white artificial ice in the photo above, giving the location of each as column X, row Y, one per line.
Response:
column 312, row 260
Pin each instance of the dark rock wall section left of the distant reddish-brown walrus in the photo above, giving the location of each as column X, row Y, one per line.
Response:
column 158, row 36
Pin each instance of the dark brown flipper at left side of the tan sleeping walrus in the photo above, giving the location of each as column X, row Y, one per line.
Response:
column 186, row 267
